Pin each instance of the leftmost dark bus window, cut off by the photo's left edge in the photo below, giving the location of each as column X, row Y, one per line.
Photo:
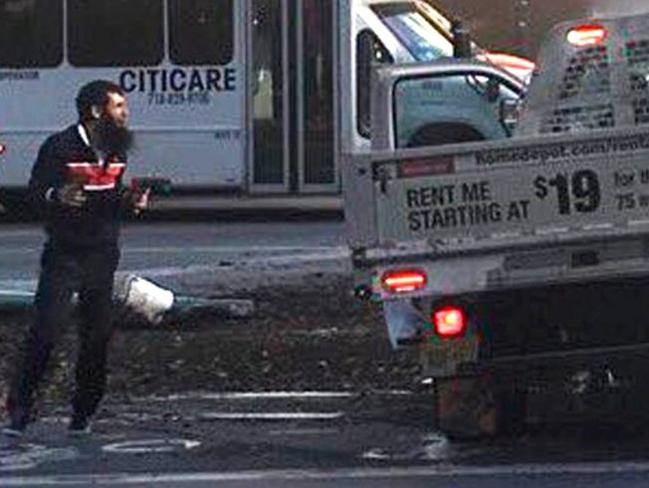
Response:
column 31, row 33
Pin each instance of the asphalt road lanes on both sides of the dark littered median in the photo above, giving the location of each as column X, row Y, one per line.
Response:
column 302, row 439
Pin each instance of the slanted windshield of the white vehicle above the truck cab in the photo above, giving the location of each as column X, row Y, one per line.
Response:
column 422, row 30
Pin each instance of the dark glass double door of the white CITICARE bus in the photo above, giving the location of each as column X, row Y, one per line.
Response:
column 293, row 93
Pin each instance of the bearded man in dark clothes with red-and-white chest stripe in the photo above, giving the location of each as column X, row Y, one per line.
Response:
column 76, row 183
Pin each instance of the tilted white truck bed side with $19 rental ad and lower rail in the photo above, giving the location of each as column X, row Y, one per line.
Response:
column 506, row 214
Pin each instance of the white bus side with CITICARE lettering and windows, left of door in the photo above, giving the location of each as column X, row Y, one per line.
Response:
column 182, row 63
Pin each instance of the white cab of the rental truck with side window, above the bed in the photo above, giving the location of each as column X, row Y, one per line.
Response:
column 443, row 102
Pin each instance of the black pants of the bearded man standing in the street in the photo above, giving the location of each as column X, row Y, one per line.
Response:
column 64, row 271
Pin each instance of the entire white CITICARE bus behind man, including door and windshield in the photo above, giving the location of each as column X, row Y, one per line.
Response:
column 243, row 95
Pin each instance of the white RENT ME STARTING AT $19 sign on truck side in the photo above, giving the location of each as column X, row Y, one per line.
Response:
column 578, row 184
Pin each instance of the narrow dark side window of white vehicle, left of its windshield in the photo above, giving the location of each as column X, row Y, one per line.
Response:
column 370, row 52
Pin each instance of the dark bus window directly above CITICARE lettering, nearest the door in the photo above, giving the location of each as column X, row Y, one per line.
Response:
column 201, row 32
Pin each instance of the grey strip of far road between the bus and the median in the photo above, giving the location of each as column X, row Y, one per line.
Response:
column 170, row 250
